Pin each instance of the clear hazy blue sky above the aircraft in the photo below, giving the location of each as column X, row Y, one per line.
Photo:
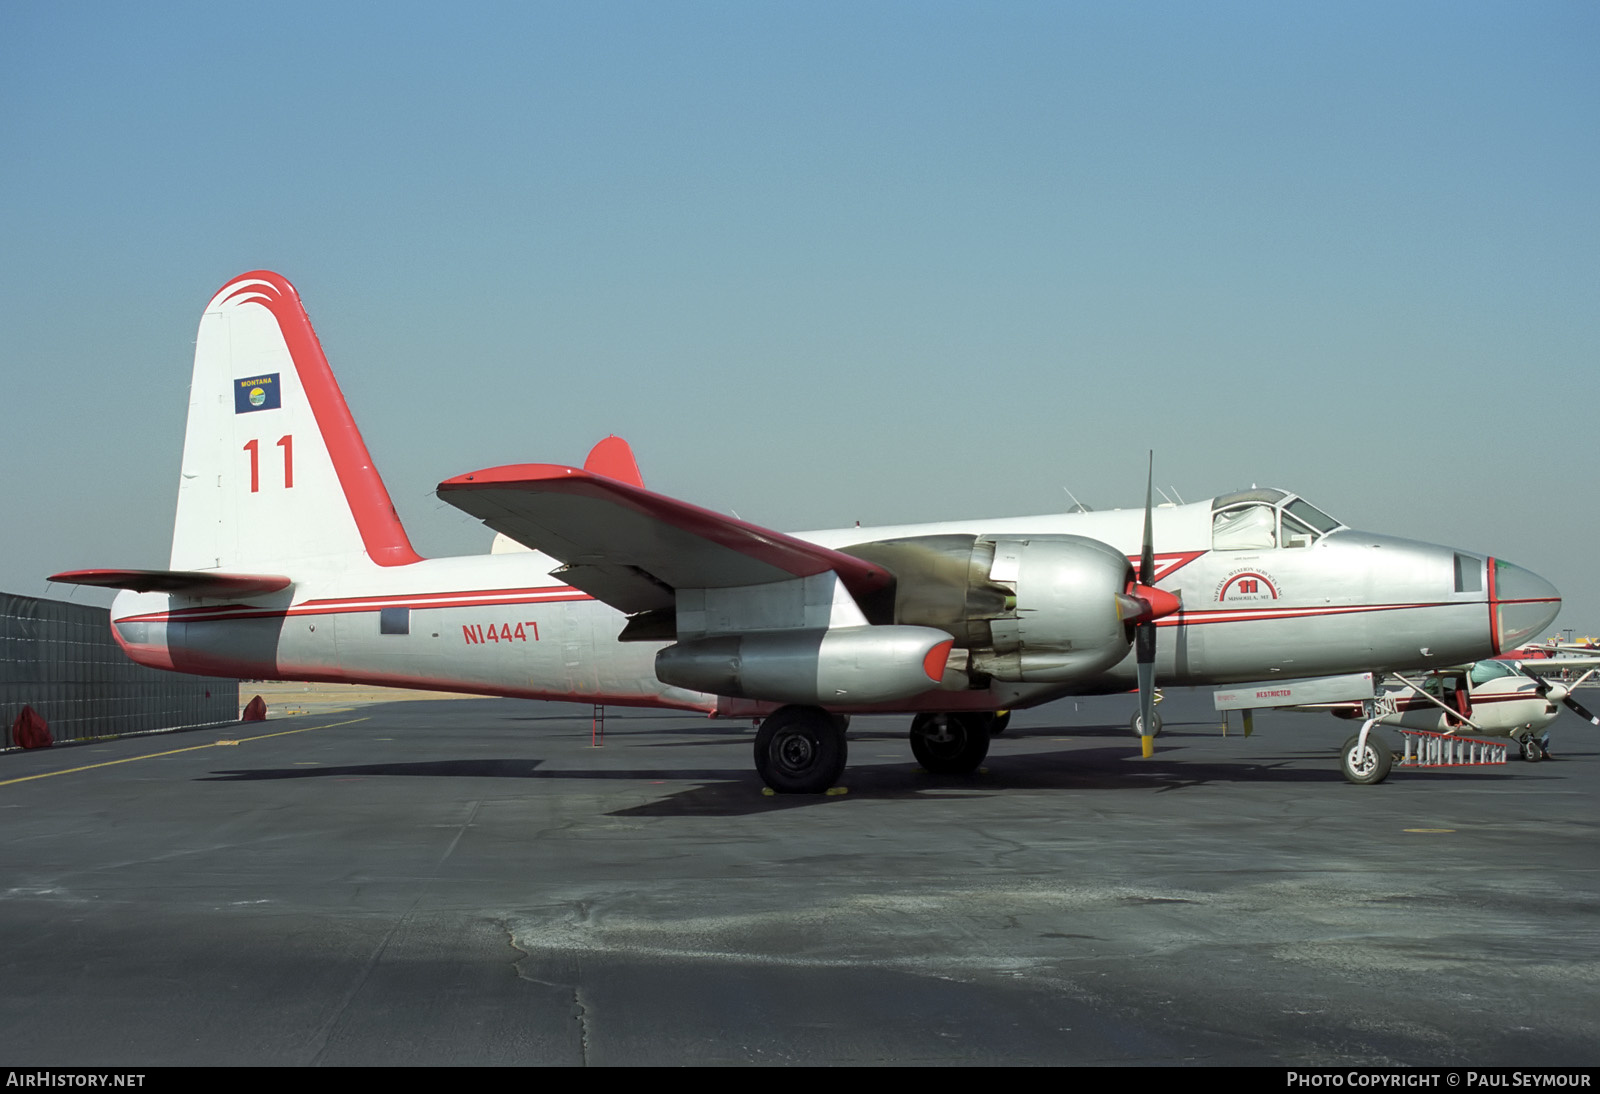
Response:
column 826, row 262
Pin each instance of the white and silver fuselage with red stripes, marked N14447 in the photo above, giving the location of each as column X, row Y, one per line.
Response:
column 502, row 625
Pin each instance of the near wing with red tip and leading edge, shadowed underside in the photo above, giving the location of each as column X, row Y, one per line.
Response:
column 633, row 548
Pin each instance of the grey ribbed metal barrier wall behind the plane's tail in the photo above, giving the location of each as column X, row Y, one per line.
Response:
column 62, row 661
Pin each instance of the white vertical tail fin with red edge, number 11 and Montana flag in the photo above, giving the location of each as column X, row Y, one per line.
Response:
column 276, row 476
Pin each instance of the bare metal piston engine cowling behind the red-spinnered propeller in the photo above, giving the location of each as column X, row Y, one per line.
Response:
column 1038, row 609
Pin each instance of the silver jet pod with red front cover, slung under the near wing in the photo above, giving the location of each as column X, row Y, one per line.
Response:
column 817, row 668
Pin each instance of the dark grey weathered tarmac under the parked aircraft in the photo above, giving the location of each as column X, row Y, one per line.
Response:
column 471, row 882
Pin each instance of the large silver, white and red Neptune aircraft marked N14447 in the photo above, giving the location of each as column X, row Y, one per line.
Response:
column 290, row 564
